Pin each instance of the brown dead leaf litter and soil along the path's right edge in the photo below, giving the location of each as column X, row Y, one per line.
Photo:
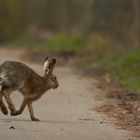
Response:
column 123, row 105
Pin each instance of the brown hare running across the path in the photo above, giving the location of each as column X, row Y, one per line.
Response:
column 18, row 76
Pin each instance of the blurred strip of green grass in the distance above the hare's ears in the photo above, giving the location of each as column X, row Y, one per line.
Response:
column 56, row 43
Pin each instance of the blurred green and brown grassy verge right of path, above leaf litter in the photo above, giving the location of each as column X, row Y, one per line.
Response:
column 120, row 64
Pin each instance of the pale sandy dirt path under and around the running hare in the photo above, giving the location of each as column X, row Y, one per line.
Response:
column 65, row 113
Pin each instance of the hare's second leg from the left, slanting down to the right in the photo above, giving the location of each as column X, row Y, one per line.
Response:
column 9, row 102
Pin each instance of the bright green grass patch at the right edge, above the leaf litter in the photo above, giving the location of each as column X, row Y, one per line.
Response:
column 127, row 69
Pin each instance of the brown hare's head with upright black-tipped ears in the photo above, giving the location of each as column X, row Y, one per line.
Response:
column 49, row 66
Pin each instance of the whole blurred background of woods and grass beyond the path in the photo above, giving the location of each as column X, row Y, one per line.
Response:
column 101, row 37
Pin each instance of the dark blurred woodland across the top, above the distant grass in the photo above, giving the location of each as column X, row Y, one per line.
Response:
column 116, row 19
